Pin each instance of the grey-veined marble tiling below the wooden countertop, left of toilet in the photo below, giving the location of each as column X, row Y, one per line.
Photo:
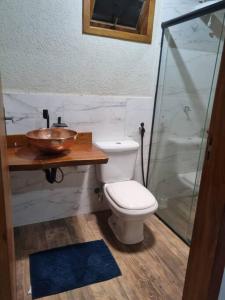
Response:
column 39, row 201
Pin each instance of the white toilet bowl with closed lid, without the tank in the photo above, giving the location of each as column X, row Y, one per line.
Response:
column 131, row 204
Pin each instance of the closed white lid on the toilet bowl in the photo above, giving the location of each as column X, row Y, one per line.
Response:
column 130, row 195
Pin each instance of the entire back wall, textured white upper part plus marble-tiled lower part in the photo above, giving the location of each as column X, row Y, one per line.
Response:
column 46, row 62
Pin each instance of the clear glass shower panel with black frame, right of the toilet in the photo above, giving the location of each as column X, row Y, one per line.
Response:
column 190, row 60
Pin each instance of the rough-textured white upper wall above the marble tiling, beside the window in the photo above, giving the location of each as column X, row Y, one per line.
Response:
column 43, row 50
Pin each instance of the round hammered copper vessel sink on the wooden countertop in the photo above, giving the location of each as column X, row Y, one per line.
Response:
column 52, row 140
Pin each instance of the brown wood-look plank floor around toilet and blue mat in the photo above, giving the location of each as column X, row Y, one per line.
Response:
column 154, row 269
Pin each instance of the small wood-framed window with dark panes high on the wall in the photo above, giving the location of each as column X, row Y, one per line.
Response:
column 123, row 19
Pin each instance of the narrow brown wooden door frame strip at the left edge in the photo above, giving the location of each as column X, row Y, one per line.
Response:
column 7, row 256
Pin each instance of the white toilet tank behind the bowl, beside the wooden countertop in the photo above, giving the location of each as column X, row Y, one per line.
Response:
column 122, row 158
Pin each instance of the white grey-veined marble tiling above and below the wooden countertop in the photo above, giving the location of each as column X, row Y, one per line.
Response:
column 109, row 118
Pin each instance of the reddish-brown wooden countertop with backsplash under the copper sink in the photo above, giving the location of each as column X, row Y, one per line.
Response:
column 22, row 156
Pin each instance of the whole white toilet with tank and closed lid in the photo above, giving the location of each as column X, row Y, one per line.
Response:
column 131, row 203
